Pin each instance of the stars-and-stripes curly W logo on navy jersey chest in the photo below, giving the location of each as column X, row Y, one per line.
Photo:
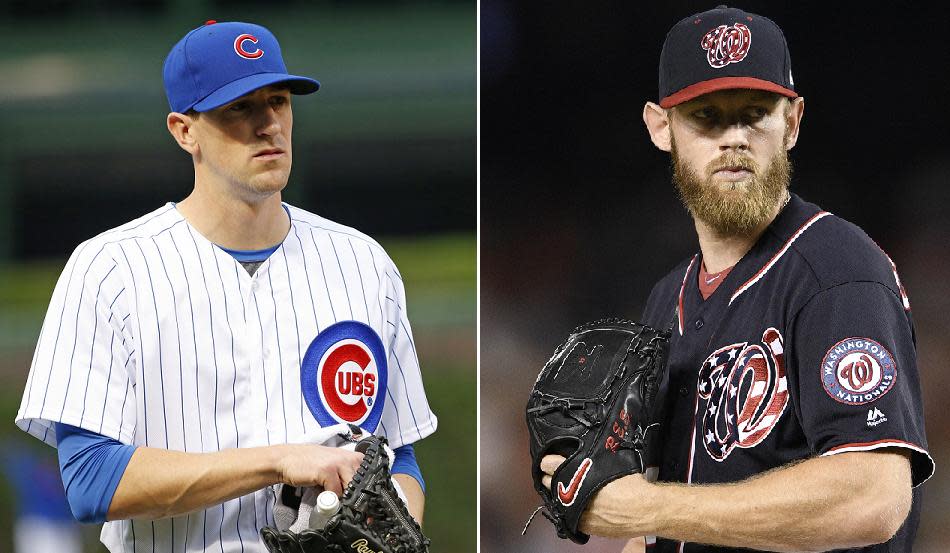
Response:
column 745, row 392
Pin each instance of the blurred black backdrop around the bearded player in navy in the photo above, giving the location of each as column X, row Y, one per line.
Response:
column 579, row 218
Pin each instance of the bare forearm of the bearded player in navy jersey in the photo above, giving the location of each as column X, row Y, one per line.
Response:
column 847, row 500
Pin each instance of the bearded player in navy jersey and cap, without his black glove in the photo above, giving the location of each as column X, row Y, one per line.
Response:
column 793, row 415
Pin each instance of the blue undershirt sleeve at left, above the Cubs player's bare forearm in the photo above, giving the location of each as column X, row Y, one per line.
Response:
column 91, row 466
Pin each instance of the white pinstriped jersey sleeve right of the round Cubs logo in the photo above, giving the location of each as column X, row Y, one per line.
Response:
column 407, row 417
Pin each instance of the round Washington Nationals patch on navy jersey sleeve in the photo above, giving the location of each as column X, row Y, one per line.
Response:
column 856, row 371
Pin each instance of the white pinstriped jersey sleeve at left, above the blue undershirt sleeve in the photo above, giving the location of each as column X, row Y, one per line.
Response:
column 82, row 367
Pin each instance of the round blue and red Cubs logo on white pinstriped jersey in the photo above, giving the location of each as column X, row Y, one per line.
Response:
column 343, row 376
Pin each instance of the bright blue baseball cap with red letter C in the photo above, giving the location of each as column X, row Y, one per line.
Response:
column 220, row 62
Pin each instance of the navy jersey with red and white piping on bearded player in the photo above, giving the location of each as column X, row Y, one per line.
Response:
column 807, row 348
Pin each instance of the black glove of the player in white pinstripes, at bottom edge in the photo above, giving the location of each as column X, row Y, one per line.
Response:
column 372, row 517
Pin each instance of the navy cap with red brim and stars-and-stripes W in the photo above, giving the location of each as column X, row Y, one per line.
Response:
column 720, row 49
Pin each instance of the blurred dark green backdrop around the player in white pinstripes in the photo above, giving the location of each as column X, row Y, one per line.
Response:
column 388, row 146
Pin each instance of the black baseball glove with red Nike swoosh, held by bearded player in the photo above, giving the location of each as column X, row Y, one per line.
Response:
column 595, row 403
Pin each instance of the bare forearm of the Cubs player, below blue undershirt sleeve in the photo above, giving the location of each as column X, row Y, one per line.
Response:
column 159, row 483
